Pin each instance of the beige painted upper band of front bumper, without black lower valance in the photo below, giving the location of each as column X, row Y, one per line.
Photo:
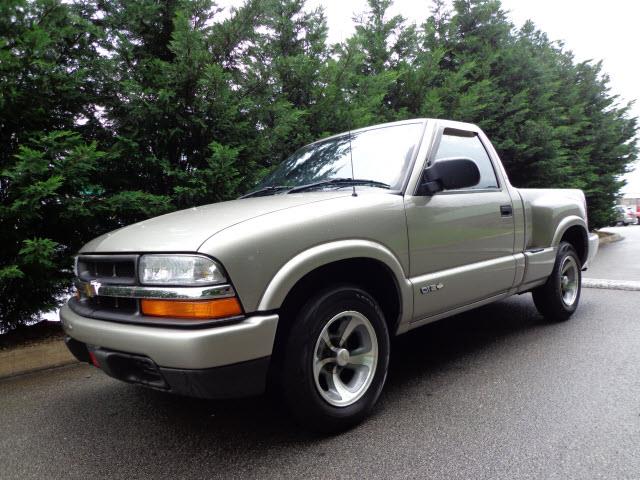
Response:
column 202, row 348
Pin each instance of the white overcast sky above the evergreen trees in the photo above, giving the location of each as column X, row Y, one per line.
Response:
column 592, row 29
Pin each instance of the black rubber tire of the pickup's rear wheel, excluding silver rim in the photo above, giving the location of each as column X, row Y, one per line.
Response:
column 548, row 298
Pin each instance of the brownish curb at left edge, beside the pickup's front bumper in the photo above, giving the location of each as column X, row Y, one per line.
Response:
column 29, row 358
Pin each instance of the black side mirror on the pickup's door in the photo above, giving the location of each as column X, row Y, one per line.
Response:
column 449, row 174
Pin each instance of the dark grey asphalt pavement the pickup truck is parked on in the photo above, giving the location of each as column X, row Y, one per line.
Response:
column 494, row 393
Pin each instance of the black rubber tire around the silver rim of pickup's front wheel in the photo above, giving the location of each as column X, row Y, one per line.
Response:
column 298, row 380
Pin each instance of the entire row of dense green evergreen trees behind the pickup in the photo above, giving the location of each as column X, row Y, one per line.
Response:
column 112, row 112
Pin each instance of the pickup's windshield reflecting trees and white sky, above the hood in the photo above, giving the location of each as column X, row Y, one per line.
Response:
column 379, row 154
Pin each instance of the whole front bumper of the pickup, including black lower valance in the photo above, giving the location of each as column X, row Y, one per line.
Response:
column 218, row 362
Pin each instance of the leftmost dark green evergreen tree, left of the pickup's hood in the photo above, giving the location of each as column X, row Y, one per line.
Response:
column 48, row 76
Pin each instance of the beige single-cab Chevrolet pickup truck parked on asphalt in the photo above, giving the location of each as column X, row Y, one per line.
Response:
column 299, row 285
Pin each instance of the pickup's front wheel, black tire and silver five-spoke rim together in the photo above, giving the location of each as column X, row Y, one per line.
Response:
column 336, row 359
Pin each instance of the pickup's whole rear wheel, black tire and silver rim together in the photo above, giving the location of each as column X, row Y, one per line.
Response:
column 558, row 298
